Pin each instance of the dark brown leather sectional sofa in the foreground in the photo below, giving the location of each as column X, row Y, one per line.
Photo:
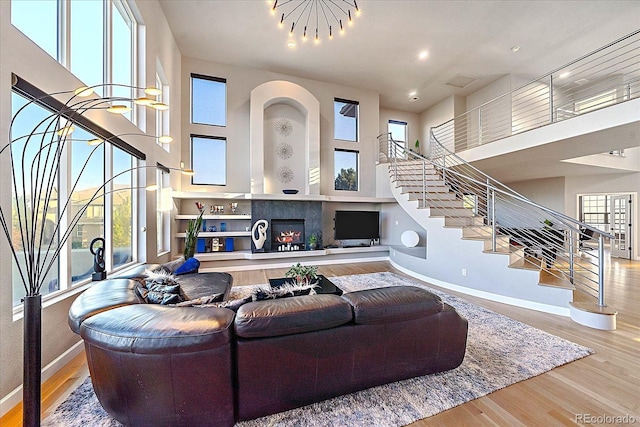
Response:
column 183, row 366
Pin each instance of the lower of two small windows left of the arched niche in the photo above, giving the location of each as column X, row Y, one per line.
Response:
column 209, row 160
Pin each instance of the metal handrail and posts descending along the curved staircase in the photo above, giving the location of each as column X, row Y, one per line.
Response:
column 493, row 188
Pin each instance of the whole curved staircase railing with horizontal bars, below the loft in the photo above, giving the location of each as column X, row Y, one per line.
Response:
column 539, row 236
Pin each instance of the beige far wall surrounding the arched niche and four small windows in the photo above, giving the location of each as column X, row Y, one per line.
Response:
column 240, row 82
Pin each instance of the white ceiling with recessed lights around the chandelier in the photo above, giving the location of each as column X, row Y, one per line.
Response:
column 380, row 52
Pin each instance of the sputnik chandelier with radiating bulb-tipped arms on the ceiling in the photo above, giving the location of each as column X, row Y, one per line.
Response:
column 317, row 19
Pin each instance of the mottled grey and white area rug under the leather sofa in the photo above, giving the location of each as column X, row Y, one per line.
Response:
column 500, row 352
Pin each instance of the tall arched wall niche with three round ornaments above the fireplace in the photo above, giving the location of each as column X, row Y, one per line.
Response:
column 291, row 96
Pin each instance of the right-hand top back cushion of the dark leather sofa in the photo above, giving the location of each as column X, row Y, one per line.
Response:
column 392, row 304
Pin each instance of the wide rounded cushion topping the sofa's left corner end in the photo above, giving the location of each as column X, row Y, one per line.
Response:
column 156, row 329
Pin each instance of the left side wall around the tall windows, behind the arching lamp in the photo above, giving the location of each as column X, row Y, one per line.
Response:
column 21, row 56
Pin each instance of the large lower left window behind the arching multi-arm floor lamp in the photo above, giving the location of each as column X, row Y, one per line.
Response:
column 84, row 176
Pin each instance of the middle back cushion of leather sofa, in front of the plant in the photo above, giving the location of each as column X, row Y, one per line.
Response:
column 270, row 318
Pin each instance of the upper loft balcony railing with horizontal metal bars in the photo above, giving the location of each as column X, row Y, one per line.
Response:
column 604, row 77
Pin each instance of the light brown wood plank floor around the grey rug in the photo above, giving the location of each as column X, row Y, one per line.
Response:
column 606, row 383
